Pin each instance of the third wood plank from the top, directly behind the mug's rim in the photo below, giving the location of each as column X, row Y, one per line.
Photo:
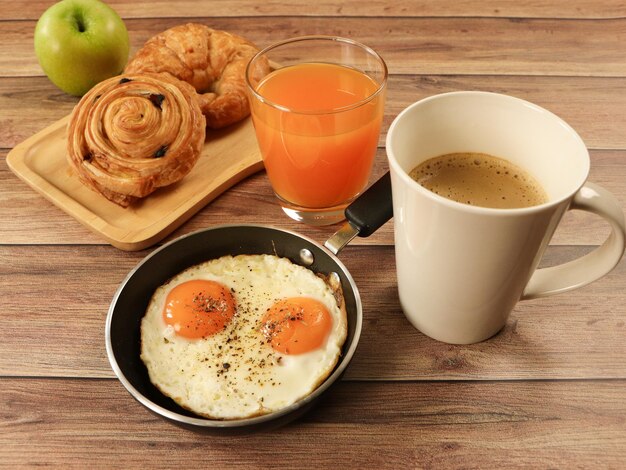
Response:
column 594, row 106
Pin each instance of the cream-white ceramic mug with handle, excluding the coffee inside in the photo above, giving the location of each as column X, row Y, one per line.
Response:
column 461, row 269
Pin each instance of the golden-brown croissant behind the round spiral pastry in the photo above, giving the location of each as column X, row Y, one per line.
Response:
column 213, row 62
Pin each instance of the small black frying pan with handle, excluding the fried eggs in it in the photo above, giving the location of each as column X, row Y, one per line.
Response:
column 365, row 215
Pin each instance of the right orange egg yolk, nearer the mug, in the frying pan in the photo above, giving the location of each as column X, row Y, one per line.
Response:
column 296, row 325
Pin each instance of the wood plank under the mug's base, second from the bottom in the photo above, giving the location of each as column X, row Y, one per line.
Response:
column 55, row 301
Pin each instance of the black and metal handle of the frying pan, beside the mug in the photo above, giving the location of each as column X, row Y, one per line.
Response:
column 365, row 215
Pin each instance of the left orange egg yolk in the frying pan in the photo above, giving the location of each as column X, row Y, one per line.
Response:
column 198, row 308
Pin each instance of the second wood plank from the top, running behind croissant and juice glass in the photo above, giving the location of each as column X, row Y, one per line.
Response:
column 473, row 46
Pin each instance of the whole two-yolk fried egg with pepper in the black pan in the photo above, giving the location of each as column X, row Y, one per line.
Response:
column 242, row 336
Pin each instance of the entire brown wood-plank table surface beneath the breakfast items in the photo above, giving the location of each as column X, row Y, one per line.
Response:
column 549, row 391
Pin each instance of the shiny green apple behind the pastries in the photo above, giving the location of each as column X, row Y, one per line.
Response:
column 79, row 43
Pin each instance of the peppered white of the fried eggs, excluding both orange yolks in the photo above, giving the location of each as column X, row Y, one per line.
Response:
column 236, row 373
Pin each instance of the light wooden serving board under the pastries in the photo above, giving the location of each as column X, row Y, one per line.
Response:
column 228, row 156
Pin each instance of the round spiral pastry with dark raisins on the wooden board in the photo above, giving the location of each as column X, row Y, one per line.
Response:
column 132, row 134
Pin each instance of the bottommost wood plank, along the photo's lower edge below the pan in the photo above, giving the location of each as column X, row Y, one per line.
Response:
column 357, row 425
